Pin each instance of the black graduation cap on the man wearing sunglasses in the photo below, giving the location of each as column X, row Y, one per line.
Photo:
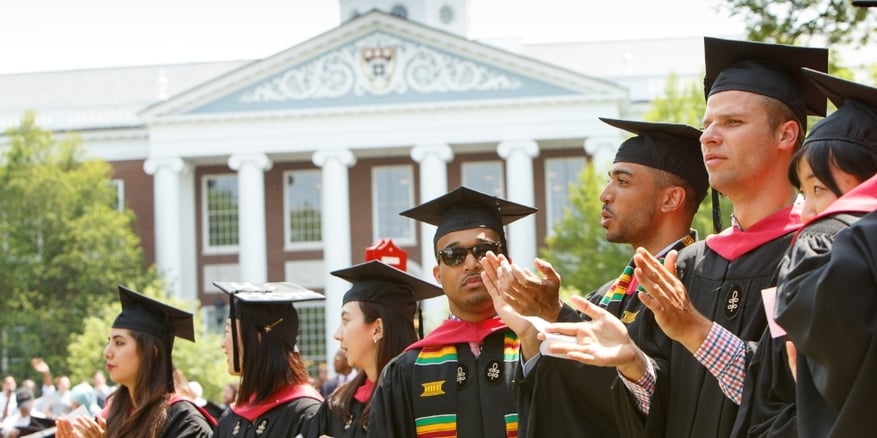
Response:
column 464, row 208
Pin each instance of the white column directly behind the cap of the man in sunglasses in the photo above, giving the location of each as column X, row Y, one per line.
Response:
column 433, row 160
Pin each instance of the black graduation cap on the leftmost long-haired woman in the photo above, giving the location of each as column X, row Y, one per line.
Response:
column 144, row 314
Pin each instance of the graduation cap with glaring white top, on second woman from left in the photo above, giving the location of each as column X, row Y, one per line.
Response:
column 268, row 306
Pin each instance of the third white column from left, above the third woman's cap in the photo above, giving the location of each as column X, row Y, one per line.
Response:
column 336, row 219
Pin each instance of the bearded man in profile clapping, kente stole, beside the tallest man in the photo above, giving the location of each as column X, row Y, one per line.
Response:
column 656, row 184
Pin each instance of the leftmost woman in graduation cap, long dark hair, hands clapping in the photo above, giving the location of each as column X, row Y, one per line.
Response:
column 138, row 358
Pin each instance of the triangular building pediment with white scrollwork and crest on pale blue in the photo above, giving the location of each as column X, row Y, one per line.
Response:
column 379, row 60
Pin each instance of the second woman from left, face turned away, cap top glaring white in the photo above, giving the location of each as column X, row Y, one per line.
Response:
column 275, row 398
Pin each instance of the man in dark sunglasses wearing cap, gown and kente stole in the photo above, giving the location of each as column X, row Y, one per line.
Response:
column 458, row 380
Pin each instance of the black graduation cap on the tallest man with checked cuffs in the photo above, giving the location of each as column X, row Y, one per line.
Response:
column 772, row 70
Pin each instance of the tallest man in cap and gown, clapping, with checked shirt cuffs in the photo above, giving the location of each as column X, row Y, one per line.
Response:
column 683, row 375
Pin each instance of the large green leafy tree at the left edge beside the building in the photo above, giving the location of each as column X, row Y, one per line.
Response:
column 63, row 248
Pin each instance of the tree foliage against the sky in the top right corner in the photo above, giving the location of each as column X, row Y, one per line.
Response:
column 829, row 22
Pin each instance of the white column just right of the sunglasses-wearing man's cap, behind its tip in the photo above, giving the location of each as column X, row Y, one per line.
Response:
column 518, row 155
